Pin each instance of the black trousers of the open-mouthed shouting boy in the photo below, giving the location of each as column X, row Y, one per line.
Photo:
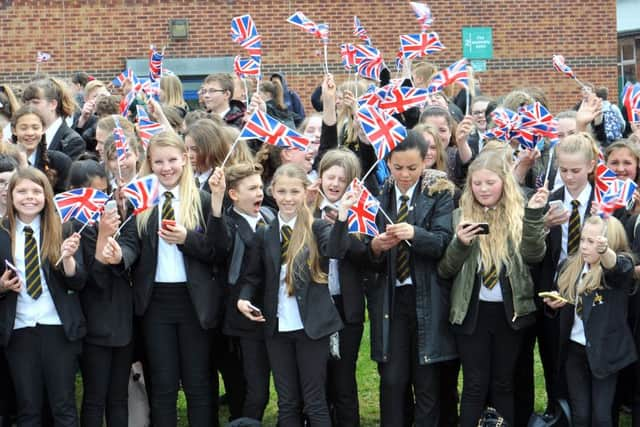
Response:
column 255, row 363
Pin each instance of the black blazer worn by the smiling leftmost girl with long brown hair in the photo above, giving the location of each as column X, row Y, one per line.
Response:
column 64, row 292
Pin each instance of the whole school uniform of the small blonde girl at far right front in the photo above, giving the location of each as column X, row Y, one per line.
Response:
column 595, row 344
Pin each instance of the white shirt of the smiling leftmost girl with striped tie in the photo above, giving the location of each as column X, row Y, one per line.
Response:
column 31, row 312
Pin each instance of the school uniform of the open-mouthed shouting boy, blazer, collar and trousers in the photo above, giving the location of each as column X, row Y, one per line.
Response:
column 232, row 235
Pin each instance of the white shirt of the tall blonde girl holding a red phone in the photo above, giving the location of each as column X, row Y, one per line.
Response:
column 170, row 267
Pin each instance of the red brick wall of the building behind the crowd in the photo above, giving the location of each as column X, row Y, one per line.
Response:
column 97, row 36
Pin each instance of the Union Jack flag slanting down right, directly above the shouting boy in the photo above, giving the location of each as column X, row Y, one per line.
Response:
column 267, row 129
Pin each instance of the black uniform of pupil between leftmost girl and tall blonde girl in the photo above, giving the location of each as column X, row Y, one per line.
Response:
column 107, row 302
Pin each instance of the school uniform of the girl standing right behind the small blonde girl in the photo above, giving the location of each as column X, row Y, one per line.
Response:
column 546, row 328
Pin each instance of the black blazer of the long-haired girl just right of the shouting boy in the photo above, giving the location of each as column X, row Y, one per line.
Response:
column 319, row 315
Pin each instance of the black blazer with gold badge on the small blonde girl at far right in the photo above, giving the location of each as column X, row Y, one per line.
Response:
column 610, row 346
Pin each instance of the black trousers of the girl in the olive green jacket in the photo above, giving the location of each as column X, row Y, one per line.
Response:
column 488, row 357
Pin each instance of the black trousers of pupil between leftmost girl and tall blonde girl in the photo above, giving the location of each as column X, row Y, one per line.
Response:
column 105, row 380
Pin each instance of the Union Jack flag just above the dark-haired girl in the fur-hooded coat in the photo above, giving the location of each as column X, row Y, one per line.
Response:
column 383, row 131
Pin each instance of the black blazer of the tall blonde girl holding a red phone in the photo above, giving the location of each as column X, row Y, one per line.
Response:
column 140, row 254
